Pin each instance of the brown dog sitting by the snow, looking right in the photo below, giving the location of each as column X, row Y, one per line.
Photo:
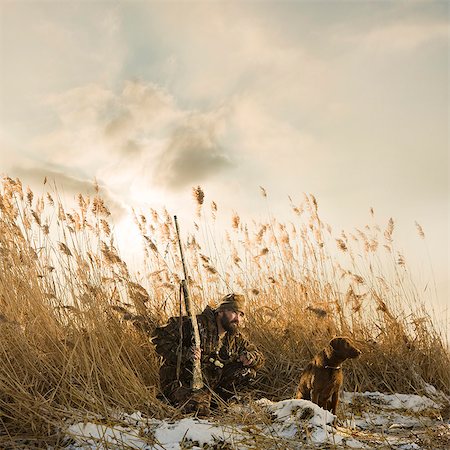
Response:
column 322, row 379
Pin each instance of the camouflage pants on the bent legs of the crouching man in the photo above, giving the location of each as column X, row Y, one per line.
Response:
column 220, row 385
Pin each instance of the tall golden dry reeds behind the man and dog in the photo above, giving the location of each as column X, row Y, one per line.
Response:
column 75, row 322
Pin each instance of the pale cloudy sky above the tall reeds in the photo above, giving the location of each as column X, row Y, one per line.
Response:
column 345, row 100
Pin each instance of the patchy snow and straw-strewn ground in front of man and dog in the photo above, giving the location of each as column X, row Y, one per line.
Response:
column 372, row 420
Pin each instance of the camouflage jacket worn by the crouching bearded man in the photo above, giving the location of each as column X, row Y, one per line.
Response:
column 216, row 353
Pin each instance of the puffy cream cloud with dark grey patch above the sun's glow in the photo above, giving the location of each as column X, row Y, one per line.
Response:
column 139, row 131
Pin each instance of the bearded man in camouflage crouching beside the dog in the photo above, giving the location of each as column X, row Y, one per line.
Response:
column 228, row 360
